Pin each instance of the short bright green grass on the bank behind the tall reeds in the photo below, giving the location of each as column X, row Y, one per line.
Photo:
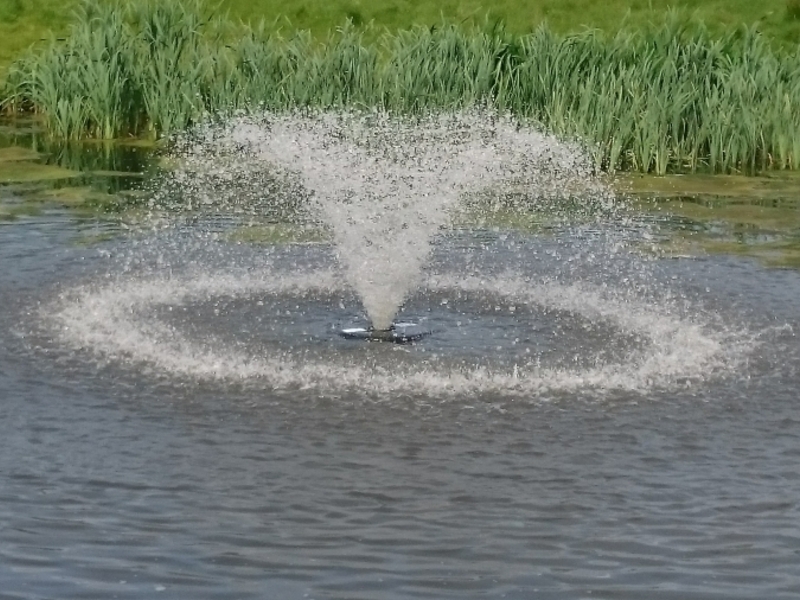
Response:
column 26, row 22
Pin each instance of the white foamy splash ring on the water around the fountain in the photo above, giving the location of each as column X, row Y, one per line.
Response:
column 115, row 321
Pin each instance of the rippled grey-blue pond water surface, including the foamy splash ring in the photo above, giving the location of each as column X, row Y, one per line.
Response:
column 177, row 422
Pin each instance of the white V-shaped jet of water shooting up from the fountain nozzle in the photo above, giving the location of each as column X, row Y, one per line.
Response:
column 385, row 185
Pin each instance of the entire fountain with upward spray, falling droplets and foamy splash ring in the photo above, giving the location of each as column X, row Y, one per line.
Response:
column 423, row 228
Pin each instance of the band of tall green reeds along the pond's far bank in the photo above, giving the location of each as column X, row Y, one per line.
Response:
column 664, row 99
